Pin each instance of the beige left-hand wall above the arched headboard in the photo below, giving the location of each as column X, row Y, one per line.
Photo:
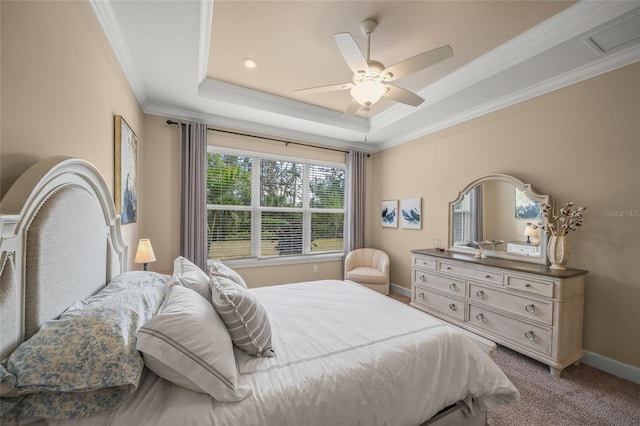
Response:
column 61, row 86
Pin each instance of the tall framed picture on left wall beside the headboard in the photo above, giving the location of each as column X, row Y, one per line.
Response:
column 126, row 178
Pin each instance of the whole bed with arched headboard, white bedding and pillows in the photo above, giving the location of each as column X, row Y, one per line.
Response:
column 338, row 353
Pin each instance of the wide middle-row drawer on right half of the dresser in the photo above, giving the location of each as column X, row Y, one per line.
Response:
column 527, row 308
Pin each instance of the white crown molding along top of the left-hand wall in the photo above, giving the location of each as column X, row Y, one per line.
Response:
column 107, row 19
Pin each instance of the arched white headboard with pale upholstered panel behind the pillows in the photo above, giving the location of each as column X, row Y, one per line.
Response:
column 60, row 241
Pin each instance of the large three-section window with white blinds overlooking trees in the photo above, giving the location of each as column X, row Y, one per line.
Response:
column 259, row 206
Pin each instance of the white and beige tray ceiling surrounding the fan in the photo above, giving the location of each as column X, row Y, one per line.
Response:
column 183, row 60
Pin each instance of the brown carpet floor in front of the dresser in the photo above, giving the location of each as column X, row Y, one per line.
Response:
column 582, row 396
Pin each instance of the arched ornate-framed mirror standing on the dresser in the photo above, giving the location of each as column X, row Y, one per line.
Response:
column 494, row 216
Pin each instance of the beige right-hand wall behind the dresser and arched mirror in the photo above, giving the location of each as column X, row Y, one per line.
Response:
column 584, row 145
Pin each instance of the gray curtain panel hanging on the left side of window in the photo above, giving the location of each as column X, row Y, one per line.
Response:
column 193, row 218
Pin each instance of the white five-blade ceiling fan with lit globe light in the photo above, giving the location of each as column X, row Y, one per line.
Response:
column 371, row 80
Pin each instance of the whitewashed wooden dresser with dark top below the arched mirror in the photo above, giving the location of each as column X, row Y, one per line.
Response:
column 527, row 307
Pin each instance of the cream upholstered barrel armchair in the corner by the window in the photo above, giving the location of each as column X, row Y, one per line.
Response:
column 369, row 267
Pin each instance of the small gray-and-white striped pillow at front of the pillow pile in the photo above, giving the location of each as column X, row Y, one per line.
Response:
column 243, row 315
